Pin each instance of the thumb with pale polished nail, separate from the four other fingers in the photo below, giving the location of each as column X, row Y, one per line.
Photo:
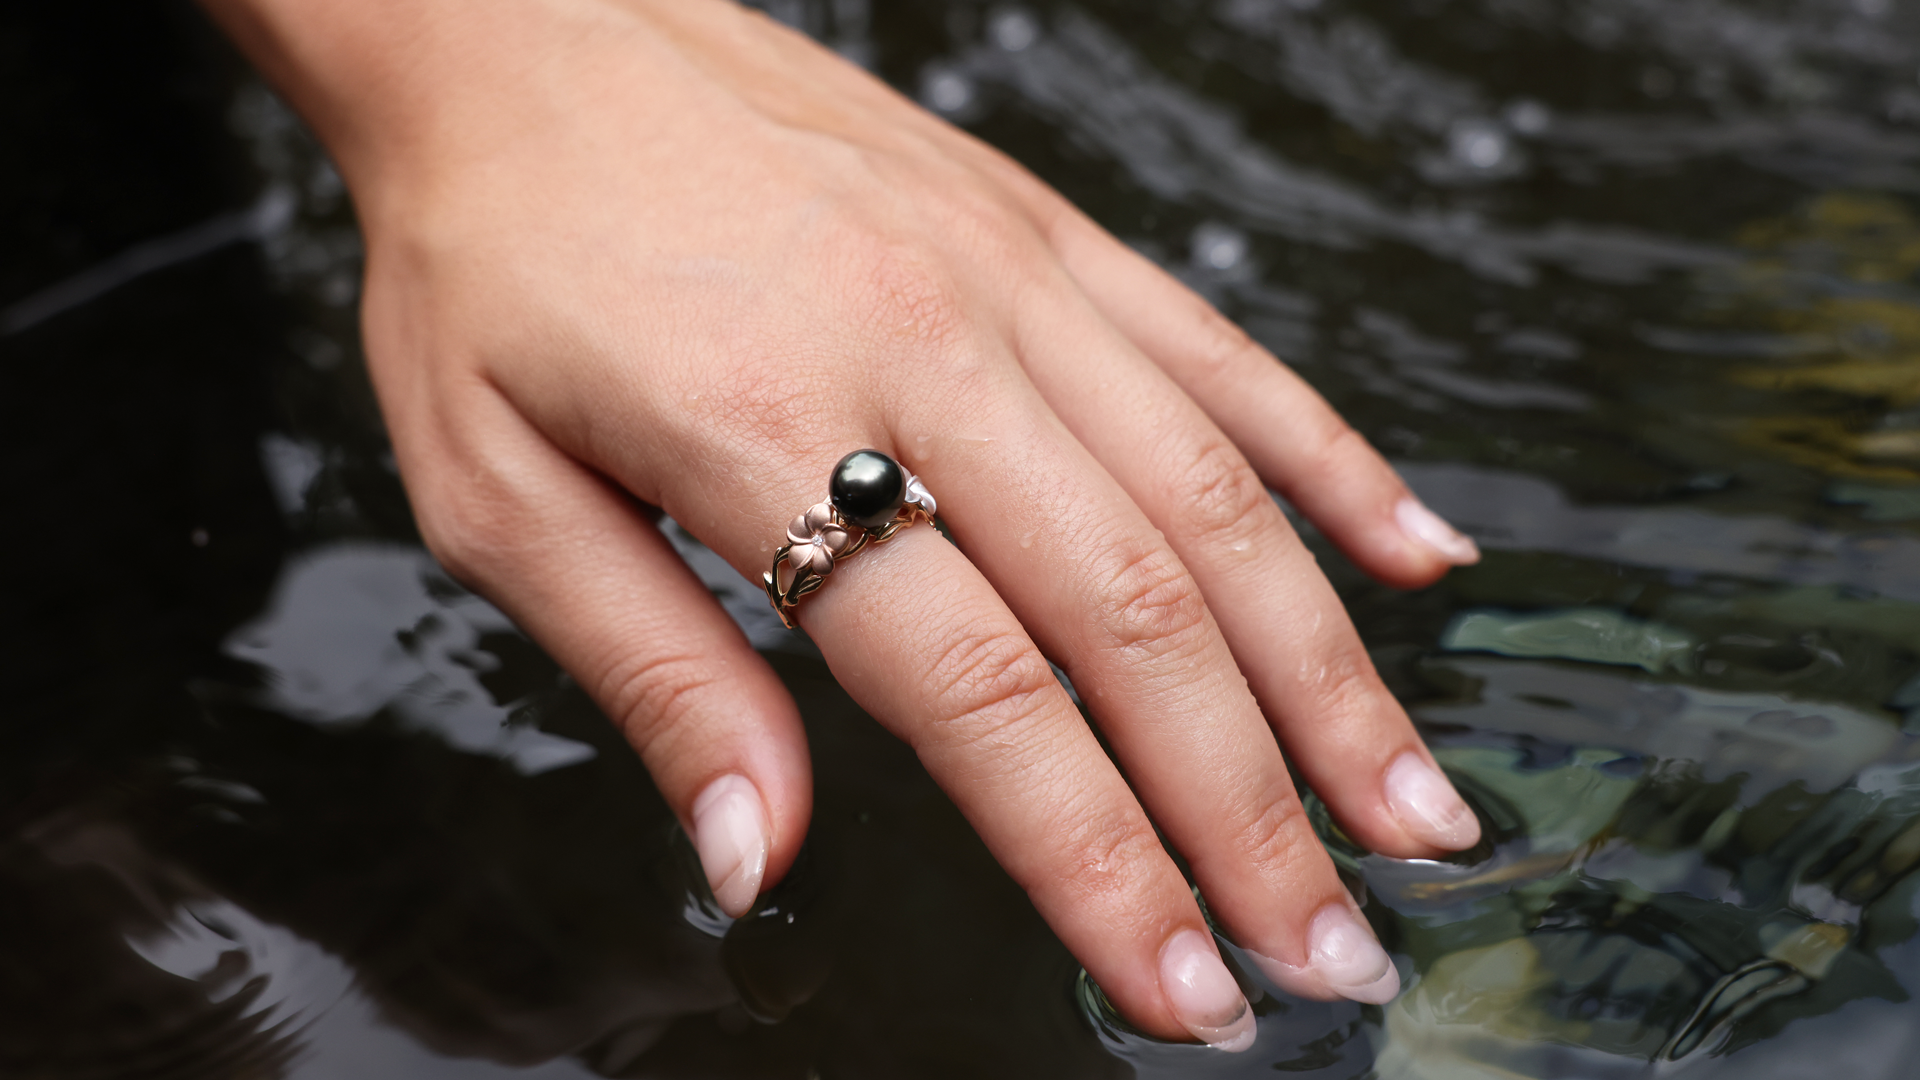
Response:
column 579, row 568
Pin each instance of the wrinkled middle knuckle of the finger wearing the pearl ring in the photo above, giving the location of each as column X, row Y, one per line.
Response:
column 988, row 683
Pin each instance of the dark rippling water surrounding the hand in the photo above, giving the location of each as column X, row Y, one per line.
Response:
column 1627, row 287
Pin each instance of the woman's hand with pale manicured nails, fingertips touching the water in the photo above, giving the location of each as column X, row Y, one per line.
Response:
column 669, row 253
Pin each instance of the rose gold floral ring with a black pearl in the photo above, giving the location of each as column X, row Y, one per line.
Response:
column 869, row 501
